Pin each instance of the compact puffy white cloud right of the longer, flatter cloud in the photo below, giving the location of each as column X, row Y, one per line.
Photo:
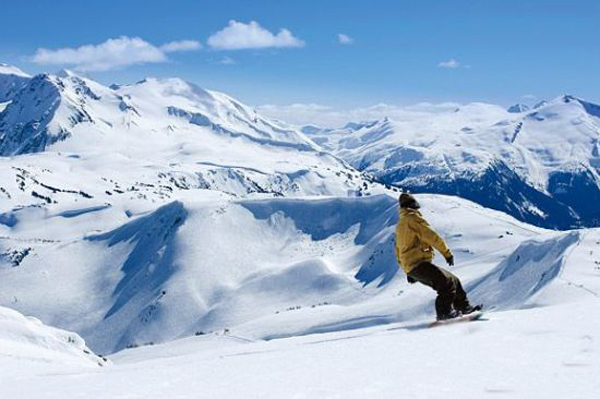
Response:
column 240, row 36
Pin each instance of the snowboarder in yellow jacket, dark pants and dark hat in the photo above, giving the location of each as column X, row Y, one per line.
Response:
column 415, row 241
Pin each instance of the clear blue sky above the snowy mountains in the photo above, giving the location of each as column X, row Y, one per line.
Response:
column 494, row 51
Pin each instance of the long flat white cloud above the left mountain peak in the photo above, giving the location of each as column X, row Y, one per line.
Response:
column 111, row 54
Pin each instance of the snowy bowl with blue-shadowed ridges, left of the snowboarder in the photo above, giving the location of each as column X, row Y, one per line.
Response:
column 181, row 269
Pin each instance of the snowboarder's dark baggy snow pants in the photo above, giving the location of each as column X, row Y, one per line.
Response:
column 448, row 287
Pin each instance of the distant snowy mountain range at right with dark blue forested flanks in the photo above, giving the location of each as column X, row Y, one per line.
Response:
column 541, row 166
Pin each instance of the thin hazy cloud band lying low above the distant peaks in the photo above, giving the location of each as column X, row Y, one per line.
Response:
column 323, row 115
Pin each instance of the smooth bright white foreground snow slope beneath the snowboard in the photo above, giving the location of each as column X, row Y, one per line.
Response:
column 516, row 354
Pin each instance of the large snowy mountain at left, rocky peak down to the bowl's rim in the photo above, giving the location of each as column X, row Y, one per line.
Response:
column 152, row 139
